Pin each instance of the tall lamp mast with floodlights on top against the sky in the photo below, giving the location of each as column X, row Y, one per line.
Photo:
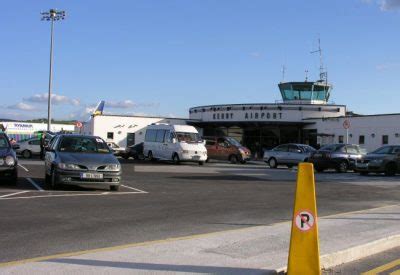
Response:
column 51, row 15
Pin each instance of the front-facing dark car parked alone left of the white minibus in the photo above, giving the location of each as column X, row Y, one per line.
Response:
column 81, row 160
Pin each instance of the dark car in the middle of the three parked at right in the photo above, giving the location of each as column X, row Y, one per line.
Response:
column 341, row 157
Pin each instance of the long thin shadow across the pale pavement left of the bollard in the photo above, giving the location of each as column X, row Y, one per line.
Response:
column 164, row 267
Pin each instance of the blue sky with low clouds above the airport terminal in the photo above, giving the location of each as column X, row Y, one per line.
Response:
column 161, row 57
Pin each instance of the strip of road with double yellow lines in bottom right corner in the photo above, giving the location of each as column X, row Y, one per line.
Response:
column 387, row 262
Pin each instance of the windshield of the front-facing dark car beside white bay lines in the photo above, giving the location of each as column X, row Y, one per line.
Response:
column 83, row 145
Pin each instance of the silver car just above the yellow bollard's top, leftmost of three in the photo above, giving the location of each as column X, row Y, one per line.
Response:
column 288, row 154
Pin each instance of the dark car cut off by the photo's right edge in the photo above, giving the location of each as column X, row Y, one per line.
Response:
column 385, row 159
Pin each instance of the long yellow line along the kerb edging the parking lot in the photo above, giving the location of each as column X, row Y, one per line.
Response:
column 113, row 248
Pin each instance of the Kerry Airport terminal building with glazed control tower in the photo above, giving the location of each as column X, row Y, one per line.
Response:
column 304, row 115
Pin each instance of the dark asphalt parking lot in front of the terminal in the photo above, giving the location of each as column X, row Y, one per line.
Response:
column 161, row 200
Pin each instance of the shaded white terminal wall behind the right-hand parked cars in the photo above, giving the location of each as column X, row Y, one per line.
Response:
column 372, row 127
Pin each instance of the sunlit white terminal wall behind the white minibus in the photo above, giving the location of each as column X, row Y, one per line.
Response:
column 122, row 125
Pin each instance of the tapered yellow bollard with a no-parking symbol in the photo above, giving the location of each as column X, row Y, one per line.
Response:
column 304, row 243
